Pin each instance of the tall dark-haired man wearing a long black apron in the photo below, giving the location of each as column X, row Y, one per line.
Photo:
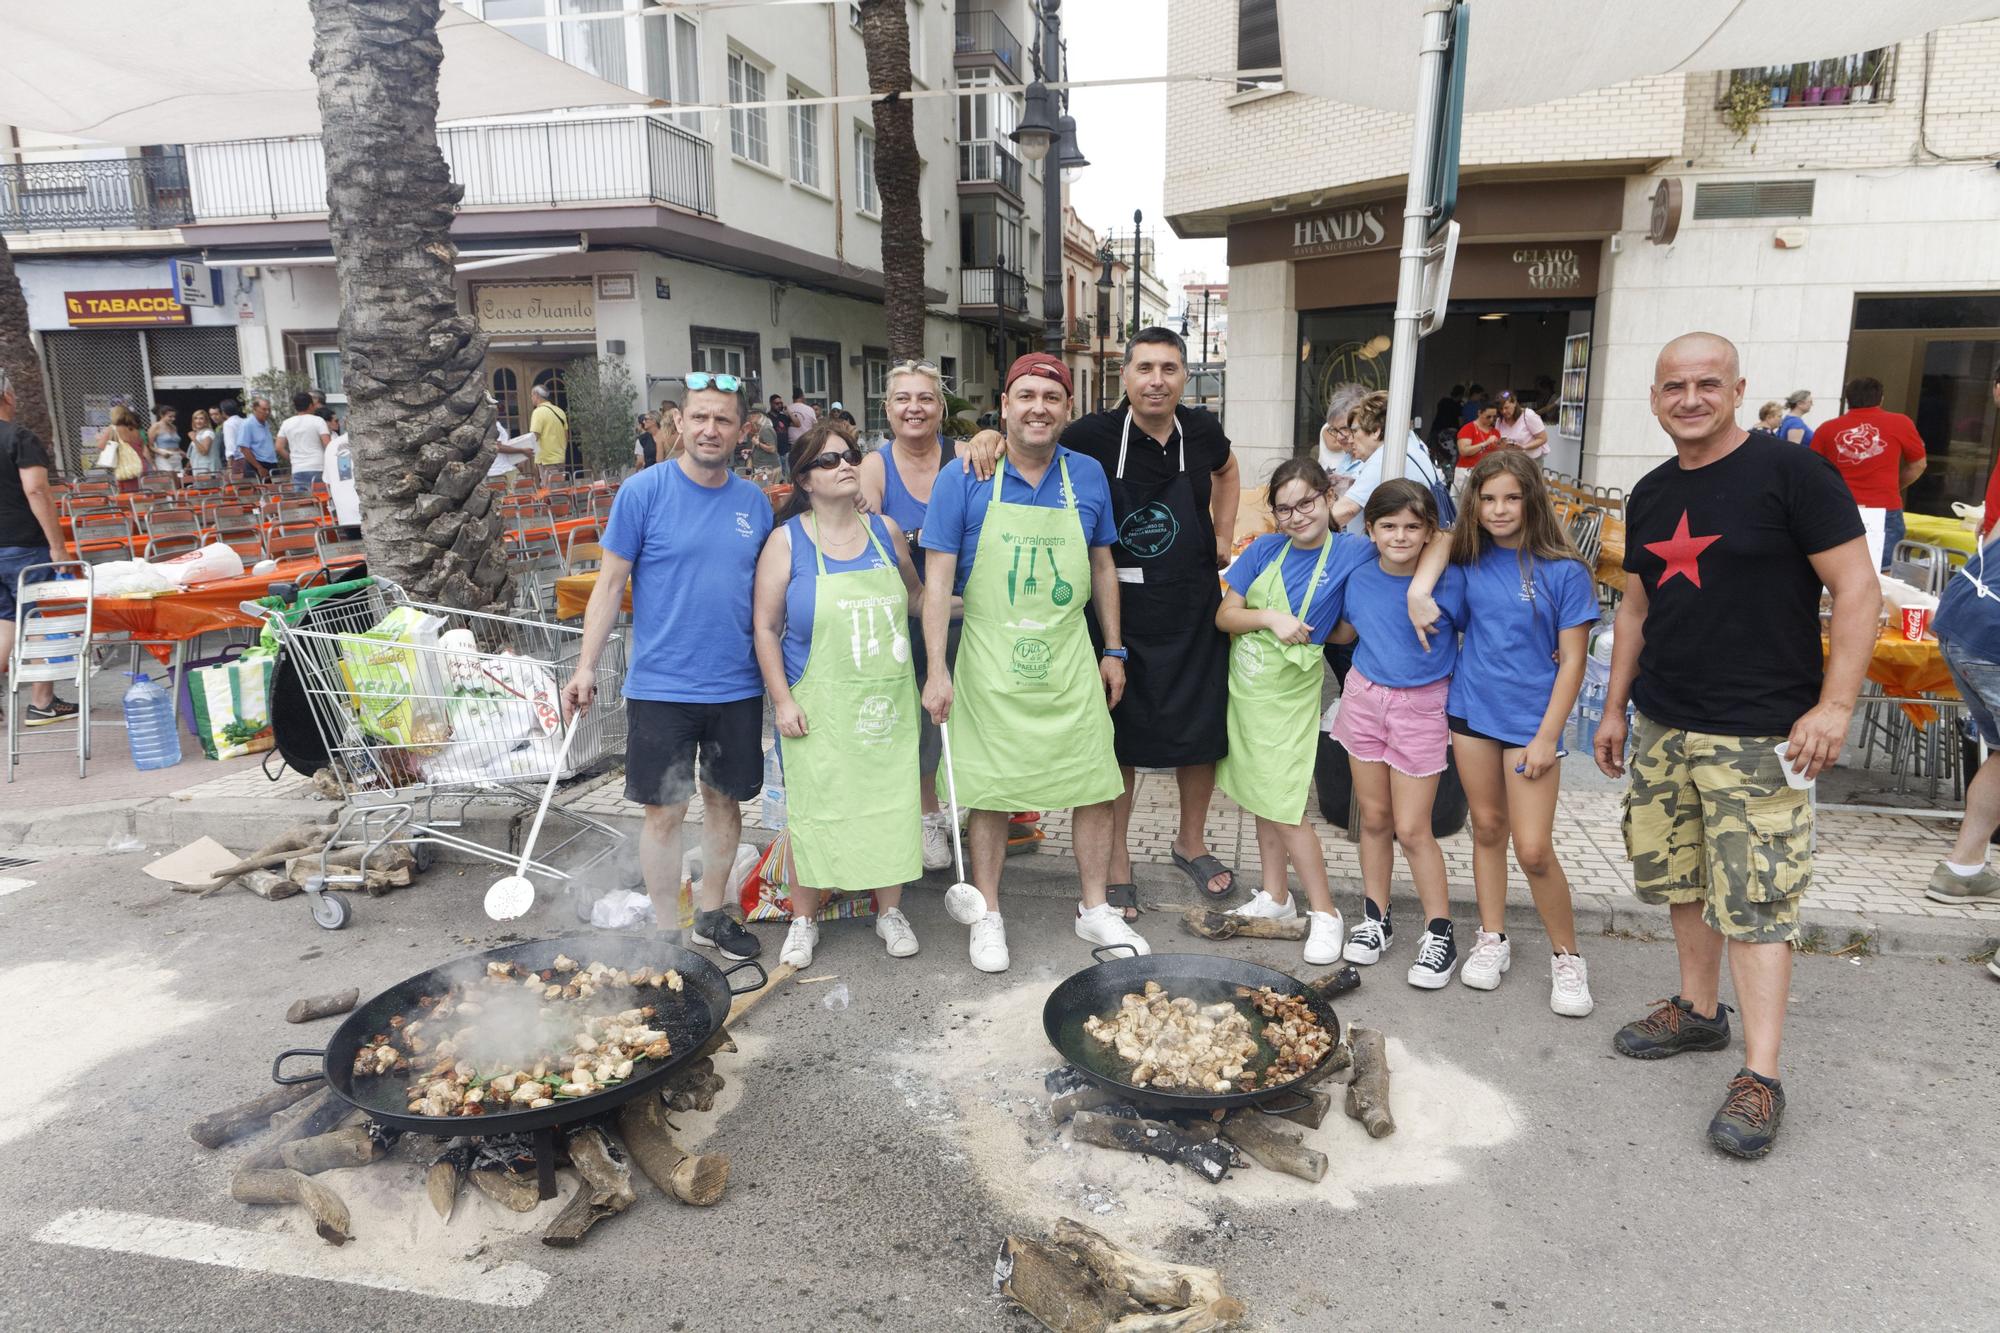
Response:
column 1175, row 491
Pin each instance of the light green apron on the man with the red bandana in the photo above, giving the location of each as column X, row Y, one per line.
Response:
column 1029, row 722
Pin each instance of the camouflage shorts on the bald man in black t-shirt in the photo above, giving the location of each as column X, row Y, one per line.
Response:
column 1711, row 820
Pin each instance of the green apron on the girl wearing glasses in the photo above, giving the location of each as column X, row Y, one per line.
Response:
column 1275, row 706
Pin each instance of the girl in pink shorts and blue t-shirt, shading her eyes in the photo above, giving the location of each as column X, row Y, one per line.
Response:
column 1393, row 726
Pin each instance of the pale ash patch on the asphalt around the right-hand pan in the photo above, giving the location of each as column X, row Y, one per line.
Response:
column 977, row 1086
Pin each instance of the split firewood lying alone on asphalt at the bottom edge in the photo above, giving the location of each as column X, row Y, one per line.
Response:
column 1079, row 1282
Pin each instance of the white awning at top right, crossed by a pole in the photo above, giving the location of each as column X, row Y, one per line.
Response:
column 1537, row 51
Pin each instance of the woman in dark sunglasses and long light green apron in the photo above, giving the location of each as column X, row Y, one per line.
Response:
column 833, row 639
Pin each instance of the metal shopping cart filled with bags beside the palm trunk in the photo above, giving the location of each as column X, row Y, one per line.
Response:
column 425, row 710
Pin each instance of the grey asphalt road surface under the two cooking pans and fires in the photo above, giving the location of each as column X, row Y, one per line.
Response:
column 883, row 1150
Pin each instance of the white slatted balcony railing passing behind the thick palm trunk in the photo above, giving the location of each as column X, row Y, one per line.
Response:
column 499, row 165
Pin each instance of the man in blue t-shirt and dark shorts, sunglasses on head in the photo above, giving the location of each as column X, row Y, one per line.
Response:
column 689, row 535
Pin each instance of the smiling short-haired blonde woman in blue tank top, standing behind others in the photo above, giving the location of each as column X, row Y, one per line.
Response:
column 897, row 485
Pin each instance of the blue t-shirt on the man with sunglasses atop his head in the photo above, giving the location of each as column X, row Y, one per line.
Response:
column 693, row 555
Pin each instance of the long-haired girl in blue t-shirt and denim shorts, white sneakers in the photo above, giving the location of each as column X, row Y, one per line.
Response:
column 1529, row 603
